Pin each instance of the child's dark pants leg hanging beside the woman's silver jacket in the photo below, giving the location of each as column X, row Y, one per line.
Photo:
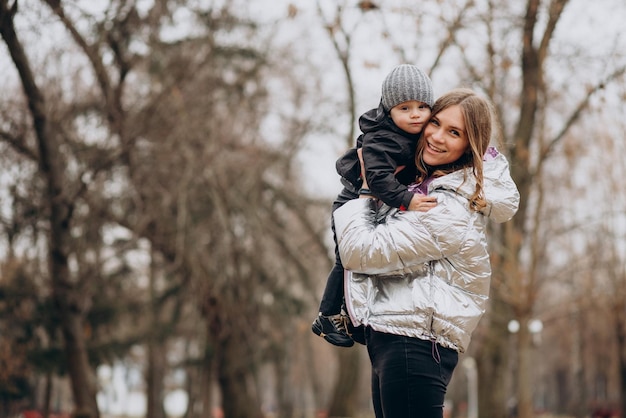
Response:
column 333, row 292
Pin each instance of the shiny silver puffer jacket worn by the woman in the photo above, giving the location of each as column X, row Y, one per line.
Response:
column 424, row 274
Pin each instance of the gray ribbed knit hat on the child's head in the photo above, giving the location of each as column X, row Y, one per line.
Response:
column 406, row 82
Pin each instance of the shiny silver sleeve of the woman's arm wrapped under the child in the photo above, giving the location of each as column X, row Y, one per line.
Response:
column 400, row 240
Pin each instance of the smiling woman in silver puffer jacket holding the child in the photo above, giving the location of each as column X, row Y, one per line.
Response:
column 419, row 281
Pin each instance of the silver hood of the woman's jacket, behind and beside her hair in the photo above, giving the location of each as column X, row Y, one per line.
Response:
column 501, row 192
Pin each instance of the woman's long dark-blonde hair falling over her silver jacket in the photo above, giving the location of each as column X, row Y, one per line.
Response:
column 478, row 114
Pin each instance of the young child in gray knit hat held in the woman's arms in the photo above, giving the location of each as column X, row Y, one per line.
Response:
column 387, row 143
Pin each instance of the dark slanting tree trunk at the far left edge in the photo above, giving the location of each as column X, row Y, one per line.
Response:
column 65, row 295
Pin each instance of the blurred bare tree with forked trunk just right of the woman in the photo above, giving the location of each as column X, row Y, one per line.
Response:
column 530, row 150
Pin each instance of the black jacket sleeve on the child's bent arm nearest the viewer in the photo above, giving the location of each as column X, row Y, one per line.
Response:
column 380, row 156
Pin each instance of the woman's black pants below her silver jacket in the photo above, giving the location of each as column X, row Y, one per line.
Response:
column 410, row 376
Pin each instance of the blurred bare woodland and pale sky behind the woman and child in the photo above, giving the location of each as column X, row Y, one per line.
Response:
column 166, row 175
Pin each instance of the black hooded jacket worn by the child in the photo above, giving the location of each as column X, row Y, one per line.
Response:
column 385, row 147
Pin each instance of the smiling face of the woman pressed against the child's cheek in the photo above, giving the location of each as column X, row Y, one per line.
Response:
column 446, row 137
